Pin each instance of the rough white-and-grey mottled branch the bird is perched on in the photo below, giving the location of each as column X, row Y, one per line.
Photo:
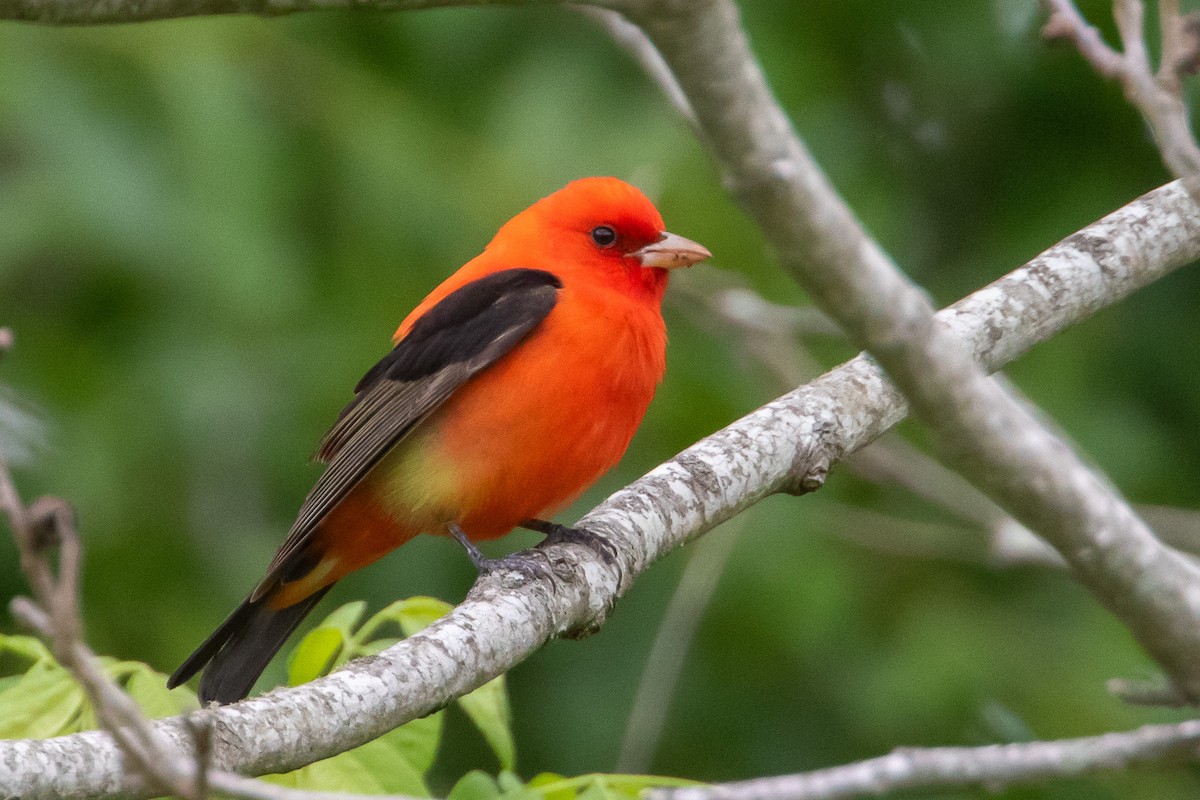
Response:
column 787, row 446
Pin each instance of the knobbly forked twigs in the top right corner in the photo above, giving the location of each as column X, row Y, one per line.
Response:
column 1157, row 95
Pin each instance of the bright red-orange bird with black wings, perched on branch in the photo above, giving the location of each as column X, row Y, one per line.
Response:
column 511, row 389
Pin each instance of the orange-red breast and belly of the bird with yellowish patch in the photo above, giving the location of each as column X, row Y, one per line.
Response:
column 533, row 431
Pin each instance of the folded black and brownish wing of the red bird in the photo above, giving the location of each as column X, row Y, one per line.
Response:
column 467, row 332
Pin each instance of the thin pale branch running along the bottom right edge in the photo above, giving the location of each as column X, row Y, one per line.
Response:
column 993, row 767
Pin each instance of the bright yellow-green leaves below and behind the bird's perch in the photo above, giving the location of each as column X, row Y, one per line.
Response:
column 39, row 699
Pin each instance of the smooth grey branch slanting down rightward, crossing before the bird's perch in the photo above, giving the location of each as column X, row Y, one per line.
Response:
column 982, row 431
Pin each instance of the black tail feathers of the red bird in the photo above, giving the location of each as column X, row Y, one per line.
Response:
column 239, row 651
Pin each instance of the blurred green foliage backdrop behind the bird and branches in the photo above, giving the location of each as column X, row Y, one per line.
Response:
column 209, row 230
